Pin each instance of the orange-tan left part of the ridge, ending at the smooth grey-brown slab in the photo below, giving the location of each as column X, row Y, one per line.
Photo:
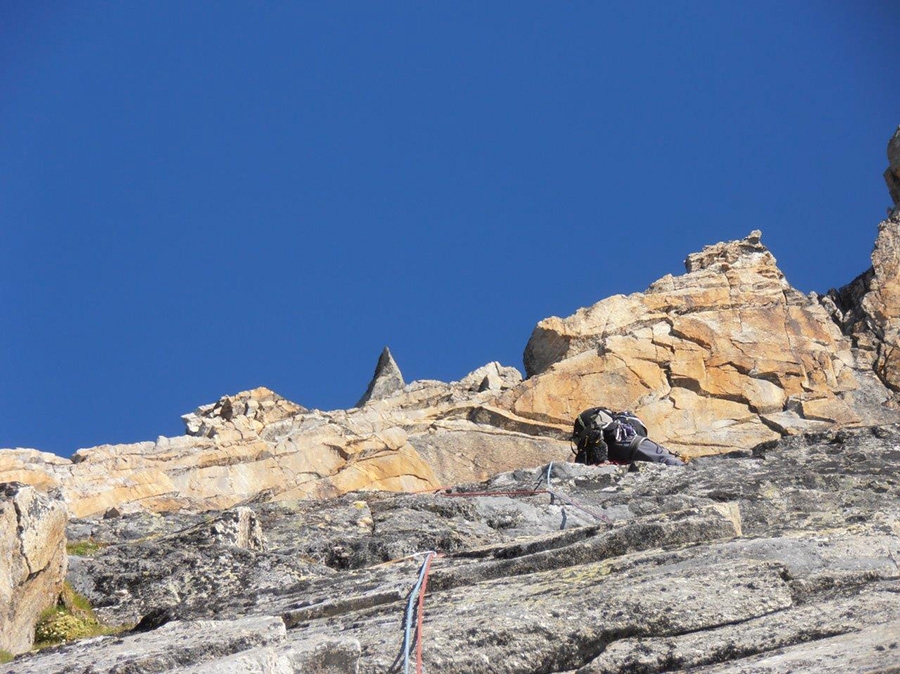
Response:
column 248, row 446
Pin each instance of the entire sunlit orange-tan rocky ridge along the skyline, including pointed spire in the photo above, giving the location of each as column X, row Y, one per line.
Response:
column 723, row 357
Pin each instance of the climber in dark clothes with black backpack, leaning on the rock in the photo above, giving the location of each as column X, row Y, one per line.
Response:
column 601, row 435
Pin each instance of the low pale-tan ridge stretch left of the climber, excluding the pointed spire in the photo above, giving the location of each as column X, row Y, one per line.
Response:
column 257, row 445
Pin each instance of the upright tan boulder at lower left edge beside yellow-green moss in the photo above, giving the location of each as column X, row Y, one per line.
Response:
column 32, row 561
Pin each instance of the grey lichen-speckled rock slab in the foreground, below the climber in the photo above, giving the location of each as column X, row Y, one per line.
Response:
column 783, row 559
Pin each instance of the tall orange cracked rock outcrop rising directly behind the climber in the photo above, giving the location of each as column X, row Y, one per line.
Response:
column 725, row 356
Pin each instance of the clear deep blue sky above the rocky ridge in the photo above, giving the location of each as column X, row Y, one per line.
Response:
column 200, row 198
